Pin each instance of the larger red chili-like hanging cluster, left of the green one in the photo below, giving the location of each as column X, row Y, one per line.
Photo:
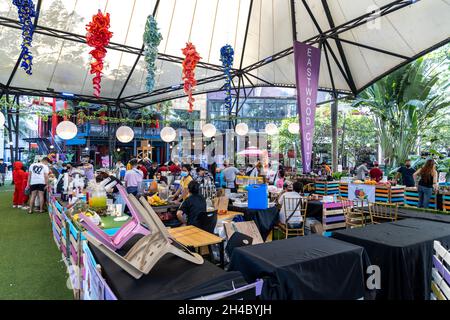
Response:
column 98, row 36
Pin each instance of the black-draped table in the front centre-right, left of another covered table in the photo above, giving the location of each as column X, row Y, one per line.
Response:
column 311, row 267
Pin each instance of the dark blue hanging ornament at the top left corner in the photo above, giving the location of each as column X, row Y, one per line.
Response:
column 26, row 11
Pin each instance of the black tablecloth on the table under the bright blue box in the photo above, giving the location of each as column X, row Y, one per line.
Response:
column 265, row 219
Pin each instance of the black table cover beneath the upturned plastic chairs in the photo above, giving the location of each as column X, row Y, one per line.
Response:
column 172, row 278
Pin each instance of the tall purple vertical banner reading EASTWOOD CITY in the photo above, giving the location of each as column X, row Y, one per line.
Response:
column 307, row 67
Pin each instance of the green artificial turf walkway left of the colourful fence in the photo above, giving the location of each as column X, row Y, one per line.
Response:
column 30, row 263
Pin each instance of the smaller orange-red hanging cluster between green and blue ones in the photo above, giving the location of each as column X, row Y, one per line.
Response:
column 189, row 65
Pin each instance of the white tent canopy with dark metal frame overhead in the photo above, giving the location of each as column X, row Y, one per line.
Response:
column 361, row 41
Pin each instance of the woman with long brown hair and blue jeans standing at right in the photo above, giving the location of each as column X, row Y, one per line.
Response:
column 427, row 182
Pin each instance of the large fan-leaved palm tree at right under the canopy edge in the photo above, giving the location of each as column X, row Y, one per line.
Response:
column 404, row 104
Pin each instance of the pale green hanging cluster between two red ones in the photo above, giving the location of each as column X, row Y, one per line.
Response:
column 152, row 39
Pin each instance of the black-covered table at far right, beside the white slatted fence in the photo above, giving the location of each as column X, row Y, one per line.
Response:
column 403, row 250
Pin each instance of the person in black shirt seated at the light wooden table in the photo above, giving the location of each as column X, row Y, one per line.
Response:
column 193, row 208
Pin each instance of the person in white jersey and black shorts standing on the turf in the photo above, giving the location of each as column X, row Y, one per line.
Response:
column 37, row 182
